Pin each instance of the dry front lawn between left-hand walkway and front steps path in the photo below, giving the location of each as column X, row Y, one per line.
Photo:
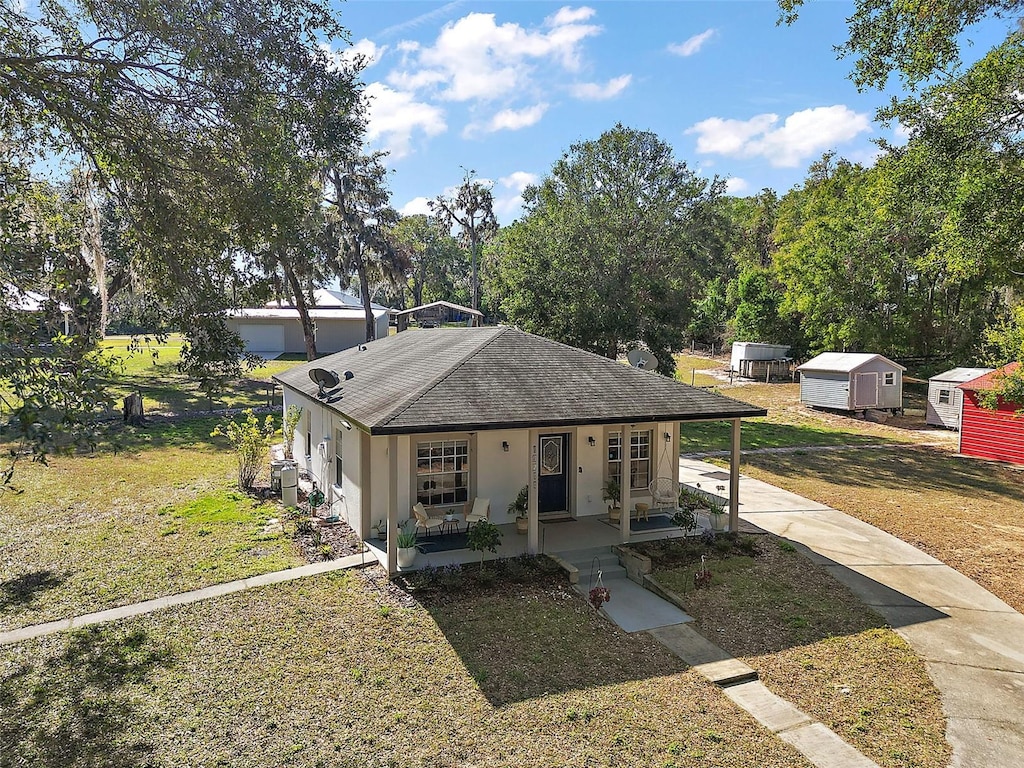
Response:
column 335, row 671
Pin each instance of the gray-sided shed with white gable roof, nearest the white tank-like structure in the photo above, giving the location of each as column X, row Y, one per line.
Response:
column 851, row 381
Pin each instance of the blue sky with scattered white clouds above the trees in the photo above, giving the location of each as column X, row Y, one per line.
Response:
column 504, row 89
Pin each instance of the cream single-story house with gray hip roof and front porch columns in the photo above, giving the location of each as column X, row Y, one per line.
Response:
column 445, row 416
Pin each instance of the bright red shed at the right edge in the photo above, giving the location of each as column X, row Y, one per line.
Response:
column 992, row 435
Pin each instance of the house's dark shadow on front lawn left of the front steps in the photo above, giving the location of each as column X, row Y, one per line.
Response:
column 524, row 633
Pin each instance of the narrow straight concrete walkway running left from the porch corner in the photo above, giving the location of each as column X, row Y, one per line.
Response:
column 184, row 599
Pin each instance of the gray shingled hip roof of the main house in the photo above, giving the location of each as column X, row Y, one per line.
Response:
column 497, row 378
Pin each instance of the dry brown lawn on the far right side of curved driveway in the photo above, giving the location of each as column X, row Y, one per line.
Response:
column 962, row 511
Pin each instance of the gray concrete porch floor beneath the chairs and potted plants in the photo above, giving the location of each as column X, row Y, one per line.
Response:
column 557, row 538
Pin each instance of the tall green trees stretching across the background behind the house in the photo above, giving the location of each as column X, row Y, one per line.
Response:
column 209, row 156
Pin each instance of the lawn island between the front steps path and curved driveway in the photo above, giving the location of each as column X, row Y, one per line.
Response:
column 815, row 645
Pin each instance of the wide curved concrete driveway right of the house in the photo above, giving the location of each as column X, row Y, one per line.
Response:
column 972, row 643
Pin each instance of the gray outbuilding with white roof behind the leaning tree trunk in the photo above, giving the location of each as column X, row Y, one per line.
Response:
column 339, row 320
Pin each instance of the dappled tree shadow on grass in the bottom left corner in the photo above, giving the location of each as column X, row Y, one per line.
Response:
column 76, row 707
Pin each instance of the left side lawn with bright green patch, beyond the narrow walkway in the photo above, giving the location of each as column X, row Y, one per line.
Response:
column 154, row 513
